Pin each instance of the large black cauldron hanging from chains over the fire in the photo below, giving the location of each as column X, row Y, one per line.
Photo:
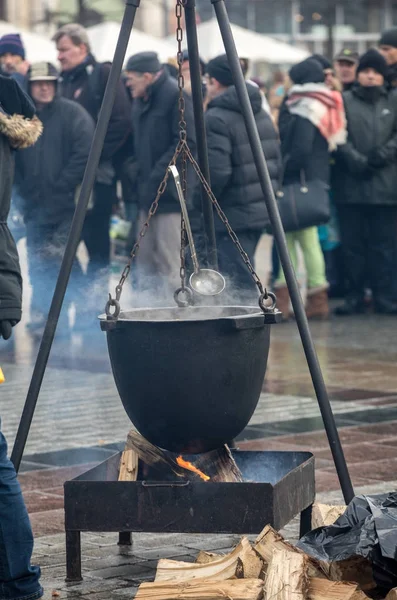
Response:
column 189, row 378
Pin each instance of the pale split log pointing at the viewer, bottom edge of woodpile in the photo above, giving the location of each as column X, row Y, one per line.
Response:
column 287, row 576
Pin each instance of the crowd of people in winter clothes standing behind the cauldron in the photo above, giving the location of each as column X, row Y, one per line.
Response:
column 333, row 122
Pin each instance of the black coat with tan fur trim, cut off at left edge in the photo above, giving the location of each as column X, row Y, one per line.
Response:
column 14, row 132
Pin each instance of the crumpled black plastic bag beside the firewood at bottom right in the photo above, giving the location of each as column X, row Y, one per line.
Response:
column 368, row 528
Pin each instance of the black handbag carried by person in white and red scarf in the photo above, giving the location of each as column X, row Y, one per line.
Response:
column 304, row 204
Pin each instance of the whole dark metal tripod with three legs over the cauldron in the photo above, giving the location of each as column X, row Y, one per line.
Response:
column 88, row 182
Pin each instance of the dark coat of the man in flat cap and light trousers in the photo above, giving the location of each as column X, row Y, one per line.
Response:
column 155, row 122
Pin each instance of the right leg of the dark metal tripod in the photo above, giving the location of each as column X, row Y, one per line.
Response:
column 297, row 303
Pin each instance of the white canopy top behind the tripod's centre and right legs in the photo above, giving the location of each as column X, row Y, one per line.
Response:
column 255, row 46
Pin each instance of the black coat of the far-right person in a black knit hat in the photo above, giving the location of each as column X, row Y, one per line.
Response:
column 371, row 125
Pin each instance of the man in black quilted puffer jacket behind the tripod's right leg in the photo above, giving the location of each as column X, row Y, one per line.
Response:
column 234, row 178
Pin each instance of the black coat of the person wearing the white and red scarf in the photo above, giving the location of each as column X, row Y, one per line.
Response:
column 303, row 148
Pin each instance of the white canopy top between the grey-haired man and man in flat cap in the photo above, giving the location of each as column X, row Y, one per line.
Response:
column 103, row 40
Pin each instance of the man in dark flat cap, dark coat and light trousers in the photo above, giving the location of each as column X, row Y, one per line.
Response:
column 155, row 122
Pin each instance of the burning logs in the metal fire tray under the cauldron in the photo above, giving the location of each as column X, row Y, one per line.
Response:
column 219, row 465
